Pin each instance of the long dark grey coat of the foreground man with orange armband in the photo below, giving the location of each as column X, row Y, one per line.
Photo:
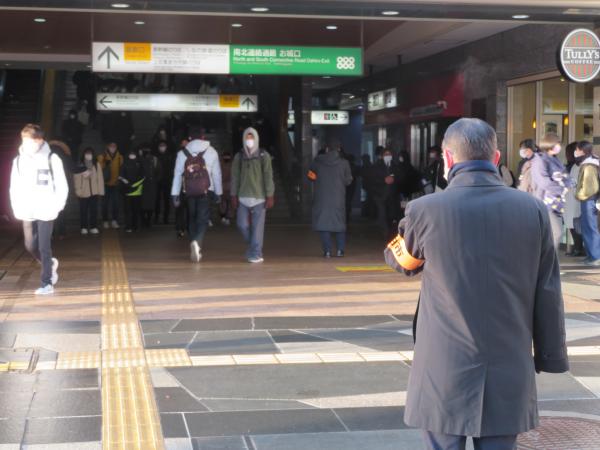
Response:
column 491, row 287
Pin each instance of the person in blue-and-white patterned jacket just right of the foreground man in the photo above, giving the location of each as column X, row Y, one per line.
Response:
column 551, row 182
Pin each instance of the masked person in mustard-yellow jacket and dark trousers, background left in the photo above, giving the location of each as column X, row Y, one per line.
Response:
column 111, row 162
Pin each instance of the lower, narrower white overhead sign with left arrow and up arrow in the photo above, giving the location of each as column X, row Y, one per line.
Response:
column 176, row 102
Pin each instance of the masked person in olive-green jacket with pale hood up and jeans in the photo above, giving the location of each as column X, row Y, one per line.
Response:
column 252, row 192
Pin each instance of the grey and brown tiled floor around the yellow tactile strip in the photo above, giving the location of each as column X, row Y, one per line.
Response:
column 290, row 307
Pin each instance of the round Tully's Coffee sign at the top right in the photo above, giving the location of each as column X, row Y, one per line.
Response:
column 580, row 55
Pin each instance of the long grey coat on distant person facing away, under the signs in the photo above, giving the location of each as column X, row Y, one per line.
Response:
column 329, row 199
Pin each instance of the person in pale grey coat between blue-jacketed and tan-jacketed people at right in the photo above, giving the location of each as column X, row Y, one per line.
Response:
column 573, row 206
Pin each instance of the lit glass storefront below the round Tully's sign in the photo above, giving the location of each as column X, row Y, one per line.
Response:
column 549, row 104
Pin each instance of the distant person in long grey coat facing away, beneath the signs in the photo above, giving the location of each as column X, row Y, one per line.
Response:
column 331, row 175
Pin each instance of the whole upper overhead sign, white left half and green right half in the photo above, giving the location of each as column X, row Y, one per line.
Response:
column 147, row 57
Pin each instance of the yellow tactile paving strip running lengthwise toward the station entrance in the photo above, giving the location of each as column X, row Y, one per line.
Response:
column 130, row 417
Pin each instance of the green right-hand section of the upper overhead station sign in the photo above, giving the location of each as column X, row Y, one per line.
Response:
column 280, row 60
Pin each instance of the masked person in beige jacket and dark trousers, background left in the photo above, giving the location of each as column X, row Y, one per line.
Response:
column 89, row 187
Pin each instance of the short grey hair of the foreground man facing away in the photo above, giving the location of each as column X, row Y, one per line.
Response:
column 471, row 139
